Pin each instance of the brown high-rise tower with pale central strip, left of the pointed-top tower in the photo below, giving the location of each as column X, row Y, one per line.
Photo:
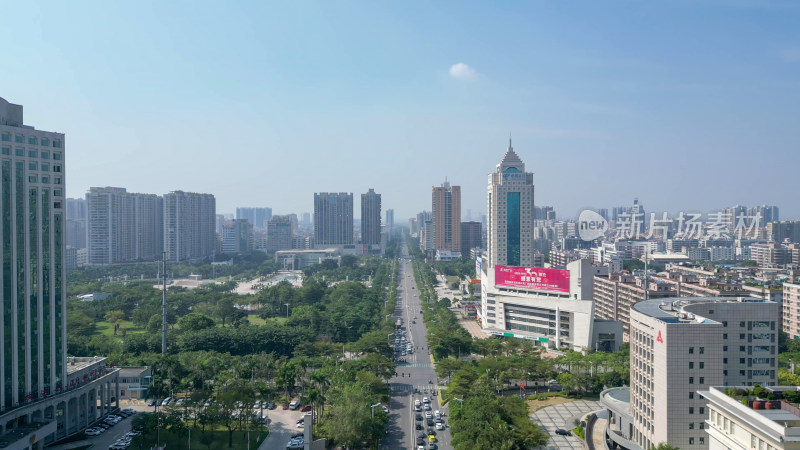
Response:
column 446, row 214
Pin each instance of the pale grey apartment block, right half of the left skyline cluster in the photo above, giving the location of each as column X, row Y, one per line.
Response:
column 189, row 226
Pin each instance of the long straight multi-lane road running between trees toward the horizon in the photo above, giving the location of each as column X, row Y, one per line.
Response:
column 414, row 372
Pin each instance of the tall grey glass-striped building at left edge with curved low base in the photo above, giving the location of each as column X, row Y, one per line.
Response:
column 39, row 391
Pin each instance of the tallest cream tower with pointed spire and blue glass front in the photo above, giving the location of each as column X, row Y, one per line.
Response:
column 510, row 207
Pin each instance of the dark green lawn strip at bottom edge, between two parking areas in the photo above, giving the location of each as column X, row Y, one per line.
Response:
column 217, row 439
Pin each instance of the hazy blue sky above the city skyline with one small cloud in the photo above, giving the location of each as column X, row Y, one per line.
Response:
column 688, row 105
